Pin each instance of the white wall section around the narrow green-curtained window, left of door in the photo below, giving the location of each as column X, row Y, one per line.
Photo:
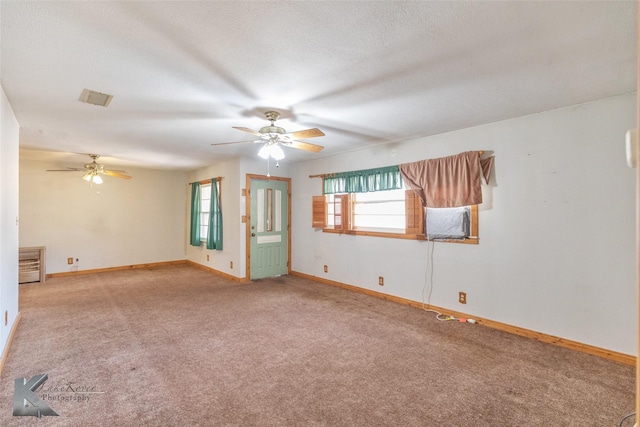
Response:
column 233, row 204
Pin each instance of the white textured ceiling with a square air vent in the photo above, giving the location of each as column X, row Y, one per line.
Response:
column 366, row 73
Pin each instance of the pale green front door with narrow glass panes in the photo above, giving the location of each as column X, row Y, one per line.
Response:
column 269, row 228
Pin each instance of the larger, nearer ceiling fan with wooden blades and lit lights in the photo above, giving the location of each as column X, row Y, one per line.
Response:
column 273, row 137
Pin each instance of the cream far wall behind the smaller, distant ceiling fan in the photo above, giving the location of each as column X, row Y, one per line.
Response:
column 118, row 223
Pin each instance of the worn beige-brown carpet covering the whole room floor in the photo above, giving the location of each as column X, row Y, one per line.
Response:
column 178, row 346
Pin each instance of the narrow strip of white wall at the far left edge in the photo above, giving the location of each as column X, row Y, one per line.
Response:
column 8, row 219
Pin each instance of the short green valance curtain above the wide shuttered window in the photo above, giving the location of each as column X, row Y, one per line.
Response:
column 364, row 181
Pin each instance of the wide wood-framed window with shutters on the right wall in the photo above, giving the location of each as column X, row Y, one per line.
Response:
column 393, row 213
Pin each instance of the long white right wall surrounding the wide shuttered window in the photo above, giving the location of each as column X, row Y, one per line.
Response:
column 557, row 227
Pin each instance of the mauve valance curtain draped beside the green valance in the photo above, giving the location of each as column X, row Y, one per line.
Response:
column 448, row 182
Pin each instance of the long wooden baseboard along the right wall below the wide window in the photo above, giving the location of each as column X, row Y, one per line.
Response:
column 562, row 342
